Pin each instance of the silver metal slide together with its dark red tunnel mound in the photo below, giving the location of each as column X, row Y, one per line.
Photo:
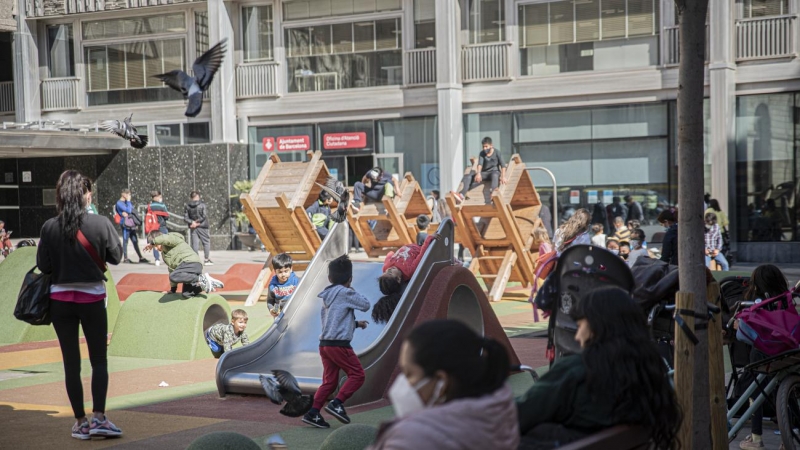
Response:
column 438, row 290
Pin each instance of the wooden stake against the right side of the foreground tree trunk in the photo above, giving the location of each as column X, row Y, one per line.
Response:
column 716, row 374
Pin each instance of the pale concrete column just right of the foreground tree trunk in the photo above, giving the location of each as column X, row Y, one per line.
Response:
column 722, row 73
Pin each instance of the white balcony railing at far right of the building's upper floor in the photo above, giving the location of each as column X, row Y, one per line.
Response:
column 765, row 37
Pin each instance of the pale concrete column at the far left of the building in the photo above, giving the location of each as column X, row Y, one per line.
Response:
column 27, row 100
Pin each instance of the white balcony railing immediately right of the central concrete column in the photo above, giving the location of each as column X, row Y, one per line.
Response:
column 485, row 62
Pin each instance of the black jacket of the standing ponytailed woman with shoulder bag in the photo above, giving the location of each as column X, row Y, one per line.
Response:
column 67, row 261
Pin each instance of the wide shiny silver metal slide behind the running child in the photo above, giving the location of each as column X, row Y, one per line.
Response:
column 292, row 343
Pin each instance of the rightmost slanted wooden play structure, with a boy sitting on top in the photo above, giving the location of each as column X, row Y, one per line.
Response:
column 497, row 228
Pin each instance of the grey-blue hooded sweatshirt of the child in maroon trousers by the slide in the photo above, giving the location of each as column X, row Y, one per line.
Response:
column 338, row 317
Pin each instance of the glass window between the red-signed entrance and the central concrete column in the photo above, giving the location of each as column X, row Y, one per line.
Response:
column 416, row 139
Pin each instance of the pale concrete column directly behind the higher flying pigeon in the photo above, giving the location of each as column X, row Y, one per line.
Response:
column 223, row 89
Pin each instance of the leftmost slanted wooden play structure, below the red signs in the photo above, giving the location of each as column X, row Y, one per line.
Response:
column 276, row 207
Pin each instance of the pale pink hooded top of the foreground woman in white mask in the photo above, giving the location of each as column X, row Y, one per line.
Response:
column 487, row 422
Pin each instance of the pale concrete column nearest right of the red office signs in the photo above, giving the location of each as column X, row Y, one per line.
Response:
column 448, row 88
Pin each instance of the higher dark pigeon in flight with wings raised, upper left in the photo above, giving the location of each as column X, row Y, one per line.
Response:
column 192, row 87
